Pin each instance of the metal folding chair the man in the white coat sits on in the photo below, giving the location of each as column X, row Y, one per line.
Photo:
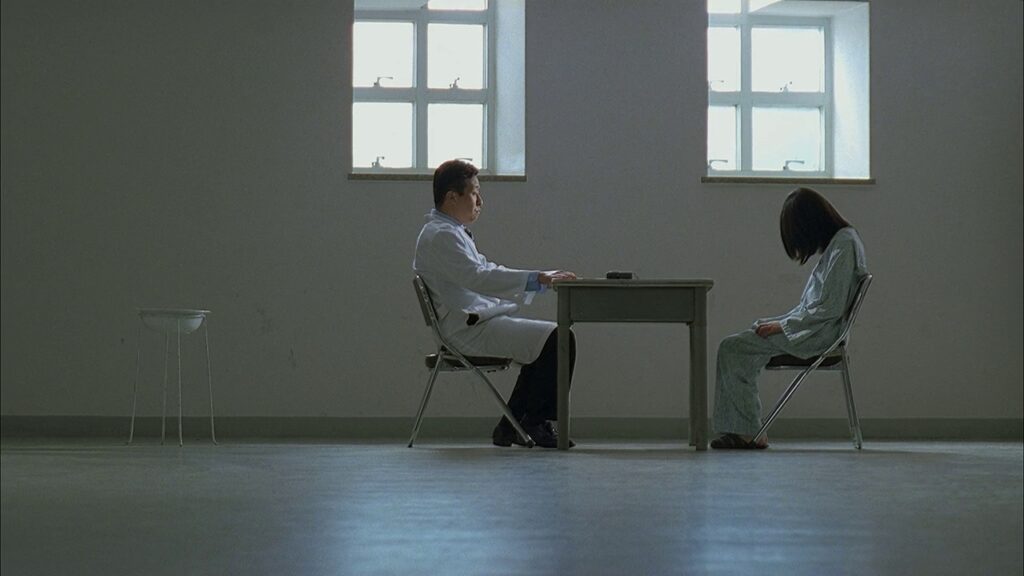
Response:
column 448, row 359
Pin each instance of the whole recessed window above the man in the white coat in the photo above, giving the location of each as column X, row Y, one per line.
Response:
column 433, row 81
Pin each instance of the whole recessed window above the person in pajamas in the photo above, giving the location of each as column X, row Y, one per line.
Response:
column 788, row 86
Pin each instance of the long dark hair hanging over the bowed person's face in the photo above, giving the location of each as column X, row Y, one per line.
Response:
column 807, row 224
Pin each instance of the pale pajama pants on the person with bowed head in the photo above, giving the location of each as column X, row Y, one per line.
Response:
column 741, row 359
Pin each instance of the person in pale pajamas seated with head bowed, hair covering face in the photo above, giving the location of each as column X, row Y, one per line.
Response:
column 809, row 225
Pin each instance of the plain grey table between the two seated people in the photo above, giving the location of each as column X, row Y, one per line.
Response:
column 638, row 301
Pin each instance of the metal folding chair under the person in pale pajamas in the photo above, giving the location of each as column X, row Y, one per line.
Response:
column 835, row 358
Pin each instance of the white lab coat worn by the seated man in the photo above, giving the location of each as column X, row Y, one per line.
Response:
column 462, row 282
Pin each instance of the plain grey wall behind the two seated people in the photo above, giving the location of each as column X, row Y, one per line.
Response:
column 194, row 153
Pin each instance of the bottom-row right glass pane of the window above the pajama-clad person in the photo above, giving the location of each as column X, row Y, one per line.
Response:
column 787, row 137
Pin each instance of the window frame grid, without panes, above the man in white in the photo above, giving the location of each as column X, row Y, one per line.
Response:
column 421, row 97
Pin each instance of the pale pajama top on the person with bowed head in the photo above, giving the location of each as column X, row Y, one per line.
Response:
column 817, row 322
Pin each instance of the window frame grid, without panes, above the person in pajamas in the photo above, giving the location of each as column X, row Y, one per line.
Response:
column 746, row 99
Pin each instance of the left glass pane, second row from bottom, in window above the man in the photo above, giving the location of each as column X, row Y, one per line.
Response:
column 382, row 52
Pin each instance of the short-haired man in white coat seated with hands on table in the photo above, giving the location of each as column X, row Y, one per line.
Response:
column 477, row 300
